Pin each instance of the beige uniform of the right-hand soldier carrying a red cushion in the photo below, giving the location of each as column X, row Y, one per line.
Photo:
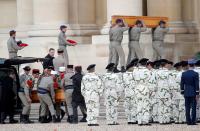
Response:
column 62, row 41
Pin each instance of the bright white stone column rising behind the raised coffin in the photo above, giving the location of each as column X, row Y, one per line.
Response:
column 120, row 7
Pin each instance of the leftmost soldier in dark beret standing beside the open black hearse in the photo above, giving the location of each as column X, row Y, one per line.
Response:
column 24, row 95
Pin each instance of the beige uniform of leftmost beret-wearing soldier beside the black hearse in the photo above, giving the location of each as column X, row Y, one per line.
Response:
column 24, row 94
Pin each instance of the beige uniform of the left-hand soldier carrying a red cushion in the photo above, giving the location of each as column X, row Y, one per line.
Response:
column 13, row 47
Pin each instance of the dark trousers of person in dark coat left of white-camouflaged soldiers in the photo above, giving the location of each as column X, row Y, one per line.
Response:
column 75, row 111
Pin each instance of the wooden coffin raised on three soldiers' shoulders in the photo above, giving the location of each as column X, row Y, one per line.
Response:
column 149, row 21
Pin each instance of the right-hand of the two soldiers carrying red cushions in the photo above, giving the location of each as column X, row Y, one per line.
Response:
column 62, row 42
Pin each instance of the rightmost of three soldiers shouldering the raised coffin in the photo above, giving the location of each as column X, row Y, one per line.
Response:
column 158, row 40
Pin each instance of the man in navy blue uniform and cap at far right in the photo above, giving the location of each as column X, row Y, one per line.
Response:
column 190, row 90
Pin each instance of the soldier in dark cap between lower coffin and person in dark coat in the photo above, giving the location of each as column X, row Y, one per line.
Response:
column 67, row 83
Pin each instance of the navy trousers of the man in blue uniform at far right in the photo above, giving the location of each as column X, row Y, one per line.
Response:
column 190, row 103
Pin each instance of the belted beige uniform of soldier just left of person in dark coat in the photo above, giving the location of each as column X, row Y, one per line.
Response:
column 68, row 85
